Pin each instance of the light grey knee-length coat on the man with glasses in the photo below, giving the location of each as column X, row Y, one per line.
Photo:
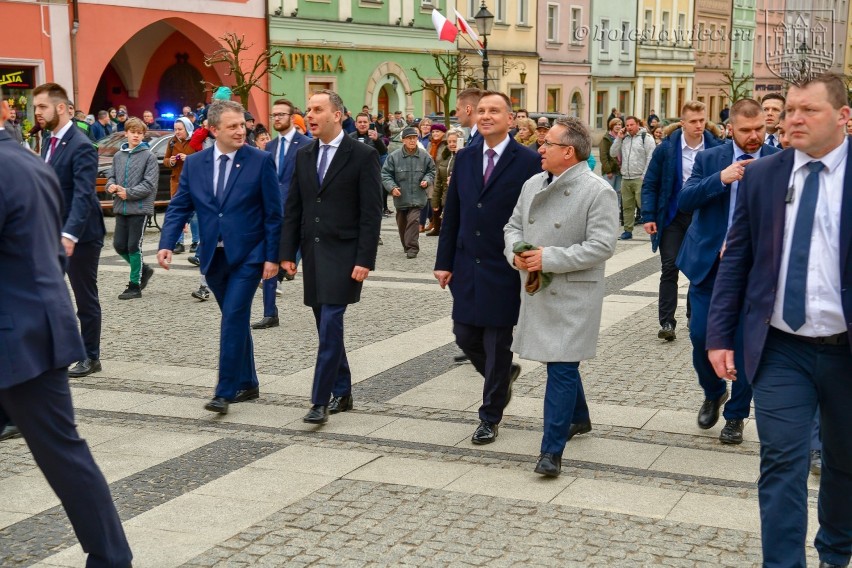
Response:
column 576, row 219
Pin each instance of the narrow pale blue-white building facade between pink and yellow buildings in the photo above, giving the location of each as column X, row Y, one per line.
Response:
column 612, row 51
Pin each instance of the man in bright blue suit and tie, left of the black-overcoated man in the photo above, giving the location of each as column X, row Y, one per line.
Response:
column 234, row 190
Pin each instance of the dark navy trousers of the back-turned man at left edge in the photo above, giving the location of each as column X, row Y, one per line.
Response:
column 41, row 408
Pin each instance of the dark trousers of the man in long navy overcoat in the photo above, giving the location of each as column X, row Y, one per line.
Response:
column 490, row 351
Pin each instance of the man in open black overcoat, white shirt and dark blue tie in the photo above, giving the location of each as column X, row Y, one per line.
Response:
column 334, row 214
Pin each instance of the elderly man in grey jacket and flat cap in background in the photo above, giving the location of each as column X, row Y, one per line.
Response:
column 406, row 175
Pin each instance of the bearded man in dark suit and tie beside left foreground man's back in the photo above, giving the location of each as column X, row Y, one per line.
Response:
column 71, row 155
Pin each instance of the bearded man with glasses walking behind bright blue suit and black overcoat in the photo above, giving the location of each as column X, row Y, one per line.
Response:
column 284, row 149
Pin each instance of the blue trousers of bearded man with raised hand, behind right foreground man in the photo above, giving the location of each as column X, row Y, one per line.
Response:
column 738, row 406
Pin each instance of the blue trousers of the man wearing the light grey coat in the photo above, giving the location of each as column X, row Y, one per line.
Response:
column 564, row 403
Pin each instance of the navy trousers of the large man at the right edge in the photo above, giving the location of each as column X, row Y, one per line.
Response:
column 792, row 379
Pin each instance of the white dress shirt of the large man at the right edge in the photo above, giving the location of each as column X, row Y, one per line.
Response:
column 823, row 307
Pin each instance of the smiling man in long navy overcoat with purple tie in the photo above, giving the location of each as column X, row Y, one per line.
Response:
column 485, row 186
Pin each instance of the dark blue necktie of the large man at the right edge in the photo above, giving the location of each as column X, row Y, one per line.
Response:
column 800, row 249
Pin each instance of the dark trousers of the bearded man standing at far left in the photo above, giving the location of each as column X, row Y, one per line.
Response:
column 83, row 274
